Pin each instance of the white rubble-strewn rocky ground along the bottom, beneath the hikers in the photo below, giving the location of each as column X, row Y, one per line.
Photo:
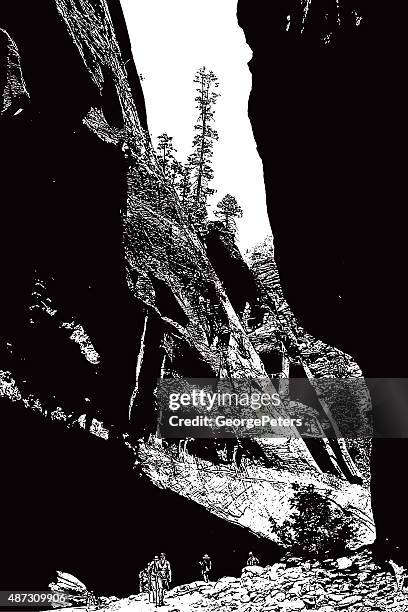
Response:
column 354, row 584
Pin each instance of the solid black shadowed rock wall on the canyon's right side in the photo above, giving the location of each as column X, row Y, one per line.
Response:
column 327, row 108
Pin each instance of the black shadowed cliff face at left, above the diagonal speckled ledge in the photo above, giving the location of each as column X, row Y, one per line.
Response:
column 63, row 192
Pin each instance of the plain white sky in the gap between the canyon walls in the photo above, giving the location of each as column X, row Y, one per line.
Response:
column 171, row 39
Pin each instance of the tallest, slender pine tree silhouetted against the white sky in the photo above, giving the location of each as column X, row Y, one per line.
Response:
column 205, row 135
